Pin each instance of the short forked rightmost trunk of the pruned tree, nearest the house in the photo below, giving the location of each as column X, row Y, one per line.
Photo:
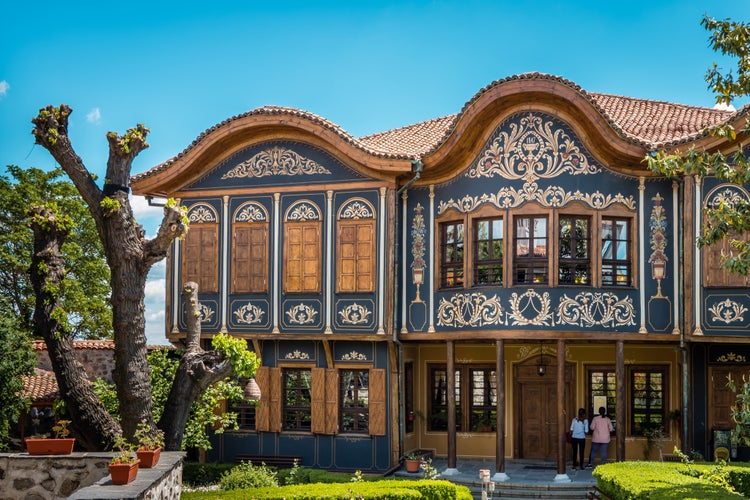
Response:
column 198, row 369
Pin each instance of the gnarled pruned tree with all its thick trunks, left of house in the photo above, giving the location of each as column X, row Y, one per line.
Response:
column 130, row 256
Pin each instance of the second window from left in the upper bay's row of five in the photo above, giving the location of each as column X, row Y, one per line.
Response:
column 488, row 251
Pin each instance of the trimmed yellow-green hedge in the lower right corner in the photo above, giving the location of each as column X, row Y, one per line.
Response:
column 668, row 481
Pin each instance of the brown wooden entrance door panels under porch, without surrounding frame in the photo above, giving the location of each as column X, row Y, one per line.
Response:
column 538, row 420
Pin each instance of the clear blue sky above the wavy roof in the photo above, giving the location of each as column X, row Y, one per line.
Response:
column 181, row 67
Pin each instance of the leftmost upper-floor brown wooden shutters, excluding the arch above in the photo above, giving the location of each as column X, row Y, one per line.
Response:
column 201, row 257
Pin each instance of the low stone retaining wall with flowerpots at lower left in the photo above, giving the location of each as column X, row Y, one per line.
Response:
column 84, row 476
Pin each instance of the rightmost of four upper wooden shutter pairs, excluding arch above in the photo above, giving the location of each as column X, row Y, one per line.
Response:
column 356, row 256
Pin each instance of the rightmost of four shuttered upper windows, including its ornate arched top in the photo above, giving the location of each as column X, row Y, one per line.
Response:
column 355, row 247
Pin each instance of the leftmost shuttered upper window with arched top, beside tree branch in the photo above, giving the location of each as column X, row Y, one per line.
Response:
column 200, row 256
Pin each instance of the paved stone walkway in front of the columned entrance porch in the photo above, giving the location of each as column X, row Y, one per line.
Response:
column 531, row 472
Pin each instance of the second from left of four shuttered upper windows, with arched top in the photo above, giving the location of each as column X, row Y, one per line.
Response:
column 250, row 249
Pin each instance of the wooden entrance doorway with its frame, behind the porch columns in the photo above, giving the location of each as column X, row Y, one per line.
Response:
column 535, row 407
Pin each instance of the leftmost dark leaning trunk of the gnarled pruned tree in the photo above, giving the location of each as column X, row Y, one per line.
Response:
column 92, row 426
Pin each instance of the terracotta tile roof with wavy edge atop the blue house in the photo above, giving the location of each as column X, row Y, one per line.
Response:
column 652, row 124
